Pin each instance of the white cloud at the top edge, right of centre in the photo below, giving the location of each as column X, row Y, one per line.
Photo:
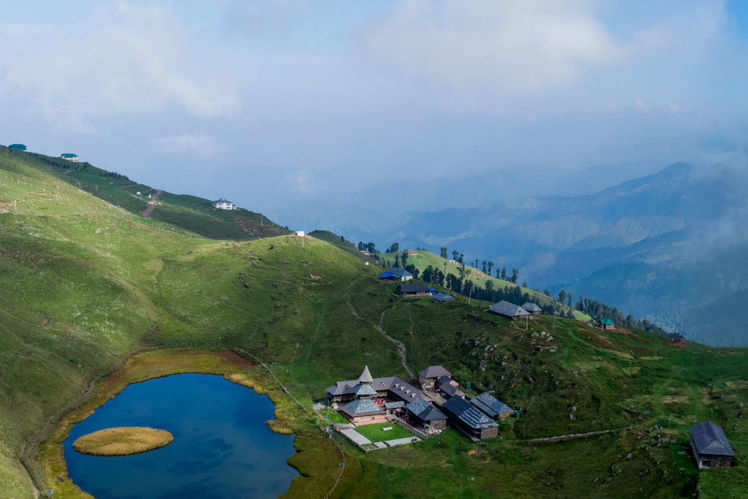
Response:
column 505, row 46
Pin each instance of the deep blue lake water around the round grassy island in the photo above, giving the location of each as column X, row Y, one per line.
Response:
column 222, row 447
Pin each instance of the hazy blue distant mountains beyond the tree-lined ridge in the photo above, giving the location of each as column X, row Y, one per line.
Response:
column 669, row 247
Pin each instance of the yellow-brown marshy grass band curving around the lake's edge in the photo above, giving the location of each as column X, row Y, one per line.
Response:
column 139, row 367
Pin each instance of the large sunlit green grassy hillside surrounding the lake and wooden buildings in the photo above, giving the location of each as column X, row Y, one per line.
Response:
column 90, row 282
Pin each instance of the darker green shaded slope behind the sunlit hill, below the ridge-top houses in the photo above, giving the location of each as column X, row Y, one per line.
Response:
column 189, row 212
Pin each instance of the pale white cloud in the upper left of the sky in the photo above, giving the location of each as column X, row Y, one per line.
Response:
column 119, row 59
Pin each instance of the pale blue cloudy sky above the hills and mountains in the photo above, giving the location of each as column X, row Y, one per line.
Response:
column 340, row 112
